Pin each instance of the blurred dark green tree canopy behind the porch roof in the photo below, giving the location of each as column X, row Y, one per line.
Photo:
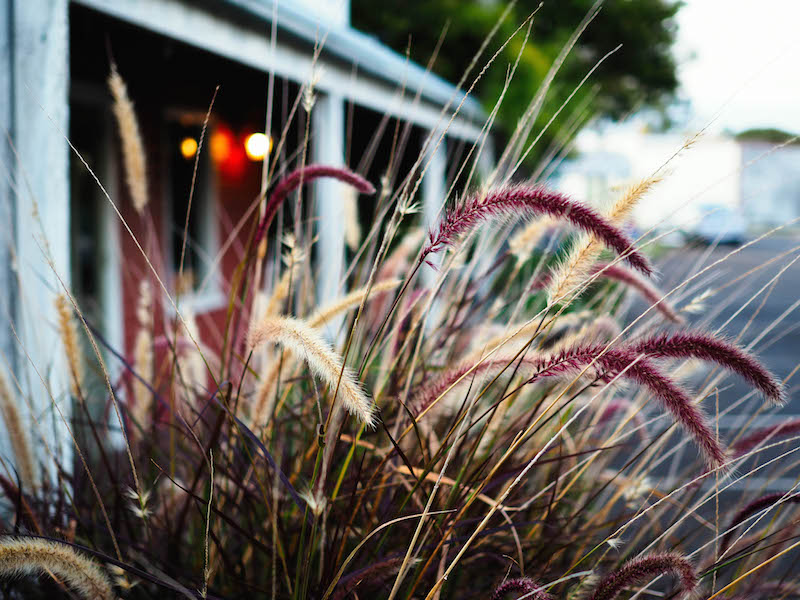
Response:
column 640, row 74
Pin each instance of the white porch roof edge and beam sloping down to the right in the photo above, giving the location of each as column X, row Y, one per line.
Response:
column 239, row 30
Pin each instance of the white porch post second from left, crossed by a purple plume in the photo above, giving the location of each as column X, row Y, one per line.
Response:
column 328, row 148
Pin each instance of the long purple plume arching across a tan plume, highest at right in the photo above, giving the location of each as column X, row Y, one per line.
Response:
column 531, row 201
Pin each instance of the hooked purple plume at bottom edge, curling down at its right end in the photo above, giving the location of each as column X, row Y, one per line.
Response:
column 642, row 569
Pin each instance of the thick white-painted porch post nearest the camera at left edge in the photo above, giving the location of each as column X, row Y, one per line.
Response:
column 39, row 96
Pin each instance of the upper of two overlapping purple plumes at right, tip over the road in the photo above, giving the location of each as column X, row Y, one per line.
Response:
column 713, row 349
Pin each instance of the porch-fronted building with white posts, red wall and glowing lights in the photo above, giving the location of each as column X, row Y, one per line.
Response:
column 69, row 221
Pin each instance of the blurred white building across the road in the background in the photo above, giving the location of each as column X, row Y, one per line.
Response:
column 758, row 181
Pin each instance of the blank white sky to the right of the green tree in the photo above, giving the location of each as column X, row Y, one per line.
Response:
column 746, row 65
